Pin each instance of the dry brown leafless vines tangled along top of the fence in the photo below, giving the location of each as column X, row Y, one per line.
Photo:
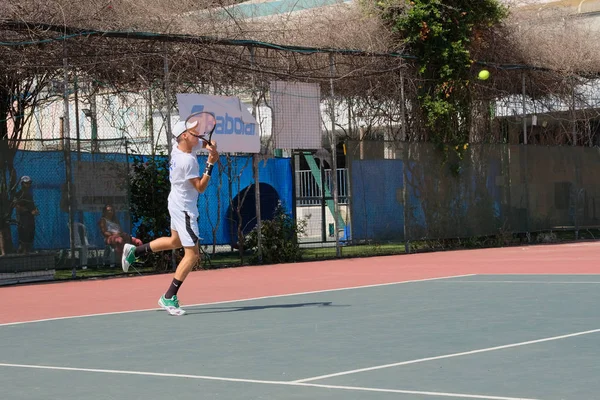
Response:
column 123, row 45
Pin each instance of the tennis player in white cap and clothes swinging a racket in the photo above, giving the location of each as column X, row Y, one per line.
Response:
column 186, row 183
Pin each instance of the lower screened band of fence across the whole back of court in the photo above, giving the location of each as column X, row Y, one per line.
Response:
column 396, row 193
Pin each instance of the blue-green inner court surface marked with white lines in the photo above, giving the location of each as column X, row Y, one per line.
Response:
column 464, row 337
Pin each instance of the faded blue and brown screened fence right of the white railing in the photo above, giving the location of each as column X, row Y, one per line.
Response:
column 418, row 192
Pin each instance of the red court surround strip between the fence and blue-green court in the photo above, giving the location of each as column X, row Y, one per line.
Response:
column 63, row 299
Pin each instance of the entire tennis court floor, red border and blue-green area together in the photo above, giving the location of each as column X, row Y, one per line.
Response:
column 514, row 323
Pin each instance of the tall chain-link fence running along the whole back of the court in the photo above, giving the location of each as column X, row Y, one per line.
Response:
column 390, row 185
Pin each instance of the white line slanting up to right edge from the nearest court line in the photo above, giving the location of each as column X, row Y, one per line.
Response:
column 464, row 353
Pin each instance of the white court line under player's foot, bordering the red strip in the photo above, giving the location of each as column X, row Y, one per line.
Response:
column 240, row 300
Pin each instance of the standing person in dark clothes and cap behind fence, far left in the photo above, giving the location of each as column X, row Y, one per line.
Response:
column 26, row 212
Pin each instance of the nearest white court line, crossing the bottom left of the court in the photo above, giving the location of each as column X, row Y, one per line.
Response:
column 264, row 382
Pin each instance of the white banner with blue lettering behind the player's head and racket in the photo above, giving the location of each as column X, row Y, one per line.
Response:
column 236, row 130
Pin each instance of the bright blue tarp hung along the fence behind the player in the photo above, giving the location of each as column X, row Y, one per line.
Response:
column 47, row 170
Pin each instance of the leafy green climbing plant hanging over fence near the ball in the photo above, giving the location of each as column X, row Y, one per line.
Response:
column 440, row 34
